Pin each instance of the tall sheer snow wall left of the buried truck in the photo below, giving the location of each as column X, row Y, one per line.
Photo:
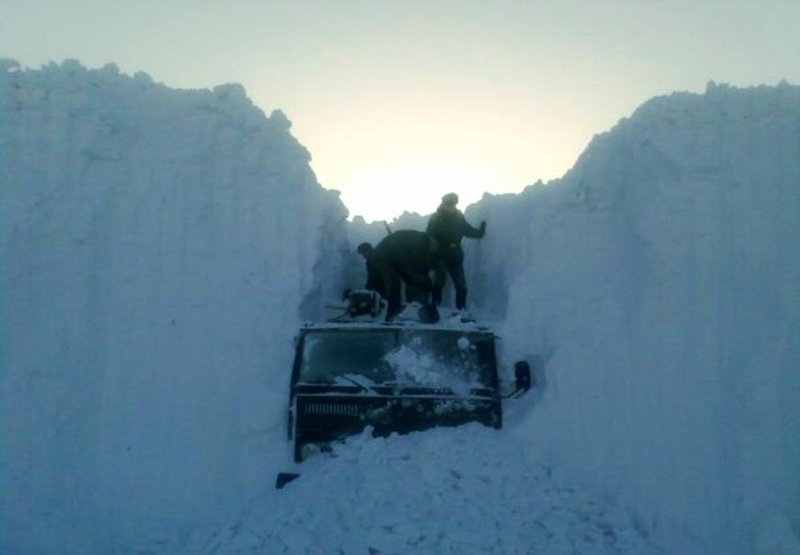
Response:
column 156, row 245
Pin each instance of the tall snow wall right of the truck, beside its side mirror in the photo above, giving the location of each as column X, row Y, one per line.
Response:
column 661, row 281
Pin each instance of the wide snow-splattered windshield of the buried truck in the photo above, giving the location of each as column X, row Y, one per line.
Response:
column 414, row 358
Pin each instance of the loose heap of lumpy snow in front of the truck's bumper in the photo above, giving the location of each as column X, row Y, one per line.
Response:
column 464, row 490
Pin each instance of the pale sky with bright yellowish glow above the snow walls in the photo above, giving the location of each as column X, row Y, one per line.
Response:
column 401, row 102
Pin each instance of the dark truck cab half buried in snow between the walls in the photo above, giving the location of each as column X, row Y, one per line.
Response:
column 390, row 377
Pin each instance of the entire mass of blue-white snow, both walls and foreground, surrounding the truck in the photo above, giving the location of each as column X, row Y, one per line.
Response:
column 160, row 248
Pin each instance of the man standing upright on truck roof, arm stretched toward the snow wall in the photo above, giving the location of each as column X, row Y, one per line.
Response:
column 447, row 227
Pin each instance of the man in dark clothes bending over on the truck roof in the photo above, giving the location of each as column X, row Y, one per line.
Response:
column 405, row 255
